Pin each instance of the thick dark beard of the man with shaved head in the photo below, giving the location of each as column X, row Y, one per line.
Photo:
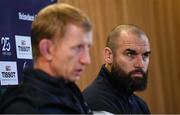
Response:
column 125, row 82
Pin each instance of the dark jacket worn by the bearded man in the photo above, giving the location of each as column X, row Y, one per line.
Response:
column 104, row 95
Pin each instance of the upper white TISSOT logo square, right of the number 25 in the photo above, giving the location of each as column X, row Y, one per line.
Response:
column 23, row 47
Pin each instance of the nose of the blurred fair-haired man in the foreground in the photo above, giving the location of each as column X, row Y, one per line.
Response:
column 85, row 58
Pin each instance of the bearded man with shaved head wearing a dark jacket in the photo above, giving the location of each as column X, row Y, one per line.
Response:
column 126, row 58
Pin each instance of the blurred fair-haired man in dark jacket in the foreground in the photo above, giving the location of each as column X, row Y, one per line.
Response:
column 61, row 38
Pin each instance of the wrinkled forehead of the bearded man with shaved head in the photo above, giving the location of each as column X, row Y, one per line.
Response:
column 131, row 41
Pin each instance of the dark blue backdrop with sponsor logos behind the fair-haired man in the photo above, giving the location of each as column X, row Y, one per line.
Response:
column 15, row 40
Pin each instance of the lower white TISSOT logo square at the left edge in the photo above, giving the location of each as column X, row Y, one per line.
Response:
column 8, row 73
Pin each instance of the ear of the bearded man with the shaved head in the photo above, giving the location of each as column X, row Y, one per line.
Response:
column 108, row 55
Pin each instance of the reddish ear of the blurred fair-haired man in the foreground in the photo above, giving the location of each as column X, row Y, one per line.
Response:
column 45, row 47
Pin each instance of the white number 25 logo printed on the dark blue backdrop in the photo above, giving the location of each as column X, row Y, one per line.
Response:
column 6, row 46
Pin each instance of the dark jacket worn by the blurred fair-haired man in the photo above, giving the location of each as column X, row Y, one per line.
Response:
column 41, row 93
